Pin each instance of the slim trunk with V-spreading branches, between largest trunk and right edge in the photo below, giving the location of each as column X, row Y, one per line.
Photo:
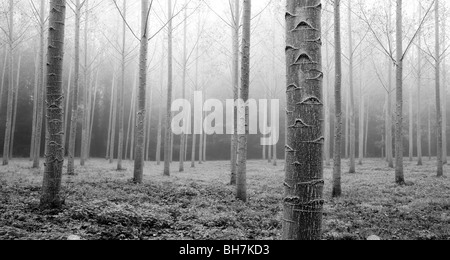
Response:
column 399, row 177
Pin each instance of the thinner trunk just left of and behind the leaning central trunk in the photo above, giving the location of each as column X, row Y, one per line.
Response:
column 235, row 72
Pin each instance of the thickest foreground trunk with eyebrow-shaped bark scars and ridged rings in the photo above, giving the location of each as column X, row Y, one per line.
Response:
column 303, row 199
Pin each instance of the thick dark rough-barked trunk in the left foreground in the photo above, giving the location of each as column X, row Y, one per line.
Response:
column 55, row 151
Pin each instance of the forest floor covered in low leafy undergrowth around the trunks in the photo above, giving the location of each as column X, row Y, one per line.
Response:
column 101, row 203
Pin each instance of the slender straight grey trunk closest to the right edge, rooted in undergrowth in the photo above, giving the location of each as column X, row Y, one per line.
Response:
column 440, row 170
